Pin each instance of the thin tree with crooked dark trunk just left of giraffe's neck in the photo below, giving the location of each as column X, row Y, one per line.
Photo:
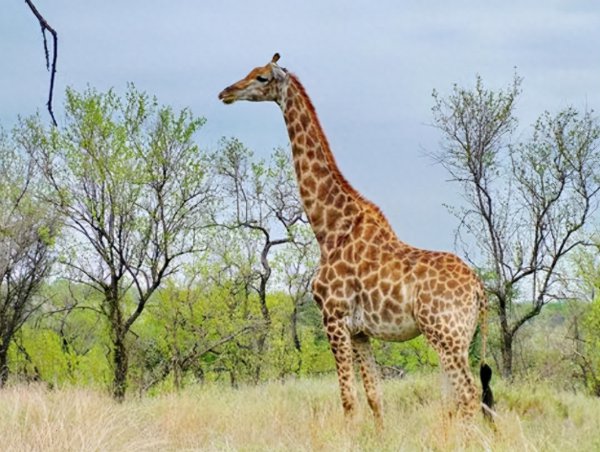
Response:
column 266, row 207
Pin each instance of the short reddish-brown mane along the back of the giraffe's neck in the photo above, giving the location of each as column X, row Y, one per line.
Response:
column 373, row 208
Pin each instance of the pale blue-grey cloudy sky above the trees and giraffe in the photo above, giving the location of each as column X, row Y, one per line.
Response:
column 368, row 66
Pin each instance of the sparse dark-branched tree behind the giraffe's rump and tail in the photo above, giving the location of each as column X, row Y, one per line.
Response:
column 528, row 205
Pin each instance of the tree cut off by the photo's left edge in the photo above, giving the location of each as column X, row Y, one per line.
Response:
column 27, row 232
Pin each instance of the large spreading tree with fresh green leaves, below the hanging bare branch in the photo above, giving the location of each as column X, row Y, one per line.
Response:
column 132, row 186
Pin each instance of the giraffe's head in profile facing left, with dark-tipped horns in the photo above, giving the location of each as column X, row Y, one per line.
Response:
column 261, row 84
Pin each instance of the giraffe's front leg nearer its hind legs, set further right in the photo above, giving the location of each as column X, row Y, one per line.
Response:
column 370, row 375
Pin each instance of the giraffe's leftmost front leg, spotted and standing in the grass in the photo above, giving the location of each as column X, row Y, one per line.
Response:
column 341, row 346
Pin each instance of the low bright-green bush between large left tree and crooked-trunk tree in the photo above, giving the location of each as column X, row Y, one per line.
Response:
column 184, row 336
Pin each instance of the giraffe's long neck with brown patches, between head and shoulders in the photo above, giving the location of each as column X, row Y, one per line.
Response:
column 332, row 205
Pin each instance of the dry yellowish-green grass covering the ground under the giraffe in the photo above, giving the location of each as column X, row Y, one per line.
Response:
column 301, row 415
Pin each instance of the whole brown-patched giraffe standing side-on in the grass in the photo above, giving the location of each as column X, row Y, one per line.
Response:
column 369, row 284
